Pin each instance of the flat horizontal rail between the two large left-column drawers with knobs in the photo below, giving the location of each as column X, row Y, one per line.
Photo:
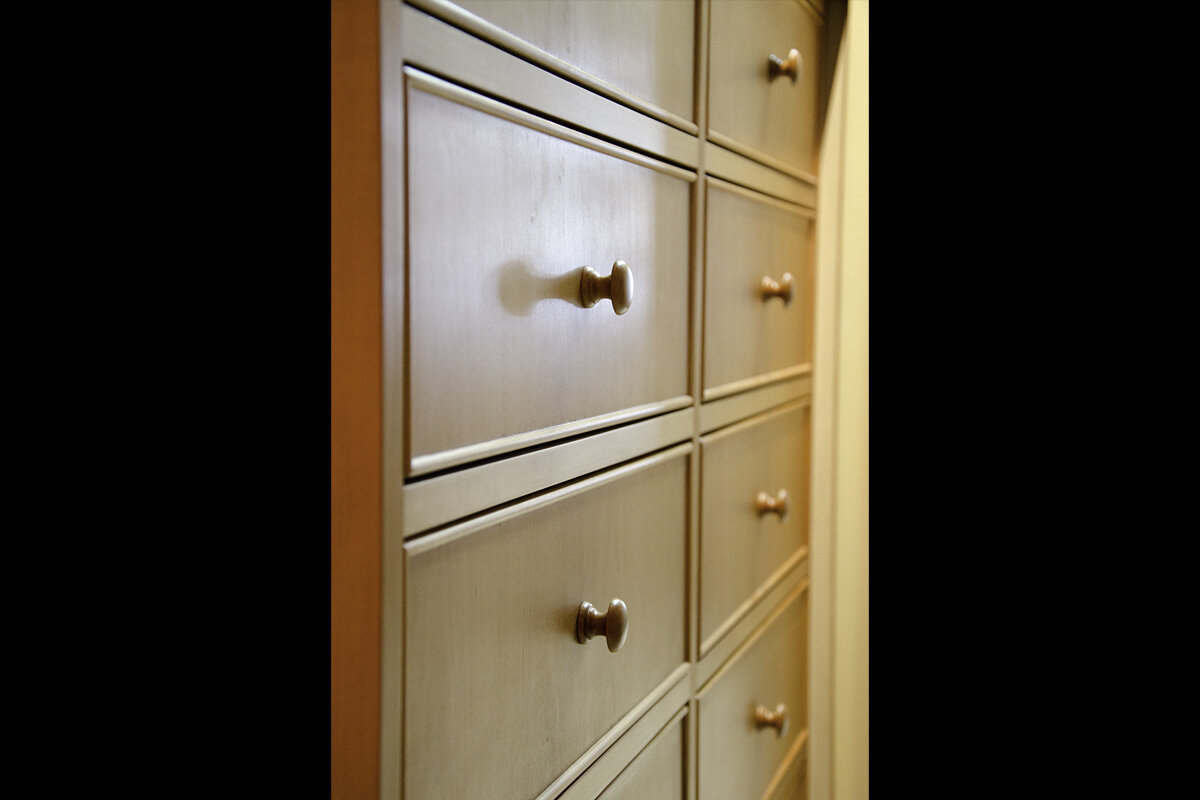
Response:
column 445, row 498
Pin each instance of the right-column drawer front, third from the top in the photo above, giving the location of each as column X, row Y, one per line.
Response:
column 745, row 539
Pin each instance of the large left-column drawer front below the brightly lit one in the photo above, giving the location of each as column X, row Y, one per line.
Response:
column 500, row 697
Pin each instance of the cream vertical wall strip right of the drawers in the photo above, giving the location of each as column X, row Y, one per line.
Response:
column 841, row 676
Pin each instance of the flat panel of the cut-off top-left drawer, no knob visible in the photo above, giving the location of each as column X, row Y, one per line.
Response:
column 644, row 47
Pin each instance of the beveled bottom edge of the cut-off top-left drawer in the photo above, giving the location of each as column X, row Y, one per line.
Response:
column 507, row 41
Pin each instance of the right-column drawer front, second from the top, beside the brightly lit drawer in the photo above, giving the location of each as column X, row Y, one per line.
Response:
column 749, row 333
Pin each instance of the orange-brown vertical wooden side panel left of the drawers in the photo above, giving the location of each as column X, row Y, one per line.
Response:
column 356, row 401
